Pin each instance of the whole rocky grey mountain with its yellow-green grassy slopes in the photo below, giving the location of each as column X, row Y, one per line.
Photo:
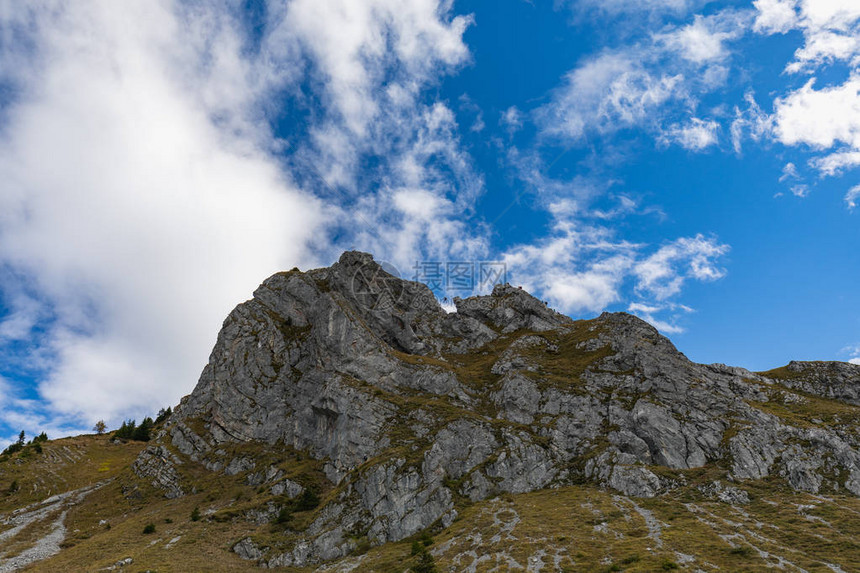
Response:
column 347, row 422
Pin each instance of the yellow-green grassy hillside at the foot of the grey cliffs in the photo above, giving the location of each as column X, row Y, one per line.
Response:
column 581, row 528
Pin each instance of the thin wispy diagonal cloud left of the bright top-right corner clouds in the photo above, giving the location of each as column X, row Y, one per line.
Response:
column 647, row 83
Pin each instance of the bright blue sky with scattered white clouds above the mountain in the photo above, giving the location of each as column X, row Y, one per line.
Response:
column 695, row 163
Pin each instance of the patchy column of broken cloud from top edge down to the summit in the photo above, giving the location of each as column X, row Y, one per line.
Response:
column 375, row 61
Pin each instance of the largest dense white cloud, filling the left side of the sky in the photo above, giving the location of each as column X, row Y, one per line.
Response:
column 140, row 198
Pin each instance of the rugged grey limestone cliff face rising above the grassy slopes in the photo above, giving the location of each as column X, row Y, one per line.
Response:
column 413, row 410
